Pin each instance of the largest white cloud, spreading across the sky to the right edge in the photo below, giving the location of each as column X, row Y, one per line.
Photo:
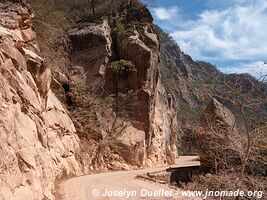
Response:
column 235, row 33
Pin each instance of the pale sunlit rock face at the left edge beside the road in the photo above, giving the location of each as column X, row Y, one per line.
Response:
column 37, row 138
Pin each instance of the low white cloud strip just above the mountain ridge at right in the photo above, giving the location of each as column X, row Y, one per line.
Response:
column 257, row 69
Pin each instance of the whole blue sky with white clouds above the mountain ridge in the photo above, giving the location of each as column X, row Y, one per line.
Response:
column 231, row 34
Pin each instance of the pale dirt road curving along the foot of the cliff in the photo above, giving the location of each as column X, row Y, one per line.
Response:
column 122, row 185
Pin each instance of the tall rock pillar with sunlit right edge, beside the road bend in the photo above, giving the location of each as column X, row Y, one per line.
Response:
column 152, row 108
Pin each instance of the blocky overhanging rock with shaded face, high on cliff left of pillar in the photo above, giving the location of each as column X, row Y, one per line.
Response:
column 91, row 44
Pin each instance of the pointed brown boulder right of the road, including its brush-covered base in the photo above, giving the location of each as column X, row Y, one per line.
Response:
column 219, row 142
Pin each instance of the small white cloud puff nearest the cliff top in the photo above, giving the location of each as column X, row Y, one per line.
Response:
column 162, row 13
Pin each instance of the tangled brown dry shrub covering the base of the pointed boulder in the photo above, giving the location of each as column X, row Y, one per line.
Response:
column 220, row 150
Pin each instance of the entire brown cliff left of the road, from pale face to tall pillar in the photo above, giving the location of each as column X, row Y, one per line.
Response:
column 100, row 106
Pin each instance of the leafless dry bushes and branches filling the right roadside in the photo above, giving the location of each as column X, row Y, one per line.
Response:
column 235, row 157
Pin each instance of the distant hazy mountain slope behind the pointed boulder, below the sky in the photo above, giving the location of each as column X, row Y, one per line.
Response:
column 194, row 83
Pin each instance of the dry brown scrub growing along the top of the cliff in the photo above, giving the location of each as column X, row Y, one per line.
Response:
column 67, row 12
